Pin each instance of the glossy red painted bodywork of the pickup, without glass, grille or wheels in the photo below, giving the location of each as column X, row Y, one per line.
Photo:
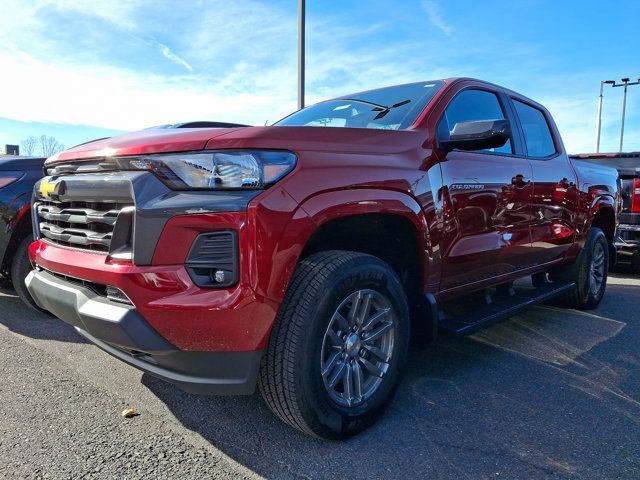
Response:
column 475, row 227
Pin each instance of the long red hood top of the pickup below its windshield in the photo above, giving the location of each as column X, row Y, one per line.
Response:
column 352, row 140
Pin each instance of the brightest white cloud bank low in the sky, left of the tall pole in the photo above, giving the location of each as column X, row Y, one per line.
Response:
column 113, row 98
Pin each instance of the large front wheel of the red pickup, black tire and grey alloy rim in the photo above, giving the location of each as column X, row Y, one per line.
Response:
column 309, row 335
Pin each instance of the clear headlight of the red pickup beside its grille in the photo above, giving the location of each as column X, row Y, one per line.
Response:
column 222, row 169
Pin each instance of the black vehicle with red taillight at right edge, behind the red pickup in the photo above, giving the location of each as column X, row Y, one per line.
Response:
column 628, row 166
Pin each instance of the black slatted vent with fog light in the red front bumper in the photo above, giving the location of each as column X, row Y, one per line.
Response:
column 213, row 260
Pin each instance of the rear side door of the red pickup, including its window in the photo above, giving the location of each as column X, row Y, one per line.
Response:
column 555, row 192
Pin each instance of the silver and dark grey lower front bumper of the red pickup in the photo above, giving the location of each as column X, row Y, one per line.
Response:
column 121, row 331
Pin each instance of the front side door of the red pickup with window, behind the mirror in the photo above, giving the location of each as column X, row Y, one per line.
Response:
column 489, row 195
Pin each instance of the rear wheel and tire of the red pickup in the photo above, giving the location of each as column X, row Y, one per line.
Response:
column 589, row 289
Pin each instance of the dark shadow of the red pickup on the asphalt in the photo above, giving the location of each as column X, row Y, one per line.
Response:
column 504, row 400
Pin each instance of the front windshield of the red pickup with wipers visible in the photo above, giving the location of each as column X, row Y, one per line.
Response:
column 391, row 108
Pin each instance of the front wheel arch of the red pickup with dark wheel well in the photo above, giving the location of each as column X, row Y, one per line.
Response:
column 391, row 226
